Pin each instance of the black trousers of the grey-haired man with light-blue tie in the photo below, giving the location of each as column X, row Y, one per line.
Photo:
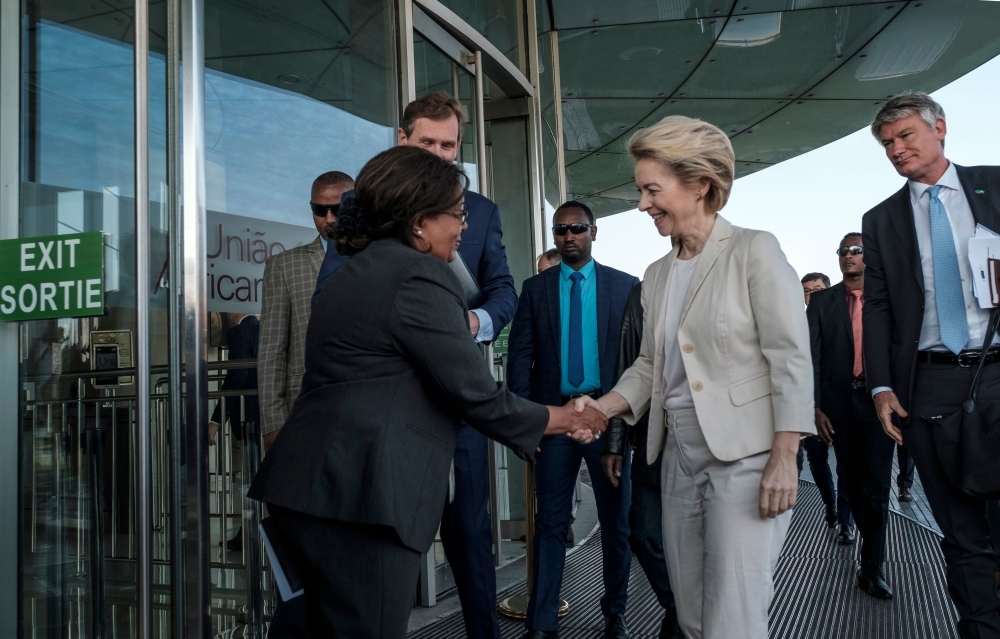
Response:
column 940, row 390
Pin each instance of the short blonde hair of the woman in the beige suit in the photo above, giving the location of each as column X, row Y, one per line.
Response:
column 690, row 149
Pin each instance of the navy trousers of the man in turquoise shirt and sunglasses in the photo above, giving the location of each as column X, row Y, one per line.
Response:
column 556, row 468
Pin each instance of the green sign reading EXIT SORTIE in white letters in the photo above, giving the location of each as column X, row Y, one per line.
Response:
column 53, row 276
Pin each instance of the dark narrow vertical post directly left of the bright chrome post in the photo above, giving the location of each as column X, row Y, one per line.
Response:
column 175, row 312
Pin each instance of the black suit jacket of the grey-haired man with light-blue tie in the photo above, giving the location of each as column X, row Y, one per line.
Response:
column 894, row 282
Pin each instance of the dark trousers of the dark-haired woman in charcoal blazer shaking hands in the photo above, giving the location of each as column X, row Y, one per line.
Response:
column 359, row 579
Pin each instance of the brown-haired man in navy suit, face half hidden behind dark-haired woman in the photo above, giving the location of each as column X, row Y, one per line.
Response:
column 434, row 122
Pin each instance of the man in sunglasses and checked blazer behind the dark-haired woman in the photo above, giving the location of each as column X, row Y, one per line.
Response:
column 289, row 280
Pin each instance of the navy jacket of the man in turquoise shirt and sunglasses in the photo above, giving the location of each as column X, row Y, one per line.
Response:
column 534, row 367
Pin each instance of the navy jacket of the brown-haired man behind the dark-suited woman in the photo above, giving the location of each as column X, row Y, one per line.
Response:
column 483, row 251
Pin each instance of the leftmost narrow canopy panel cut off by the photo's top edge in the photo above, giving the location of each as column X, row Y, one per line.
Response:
column 571, row 14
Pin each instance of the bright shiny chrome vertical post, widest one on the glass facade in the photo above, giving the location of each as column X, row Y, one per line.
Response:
column 197, row 558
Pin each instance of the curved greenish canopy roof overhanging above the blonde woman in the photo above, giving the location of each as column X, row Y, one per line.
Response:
column 782, row 77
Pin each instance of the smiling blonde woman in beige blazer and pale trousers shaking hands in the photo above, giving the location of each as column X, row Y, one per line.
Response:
column 726, row 373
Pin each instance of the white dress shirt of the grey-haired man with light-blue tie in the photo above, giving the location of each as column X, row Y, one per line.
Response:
column 963, row 227
